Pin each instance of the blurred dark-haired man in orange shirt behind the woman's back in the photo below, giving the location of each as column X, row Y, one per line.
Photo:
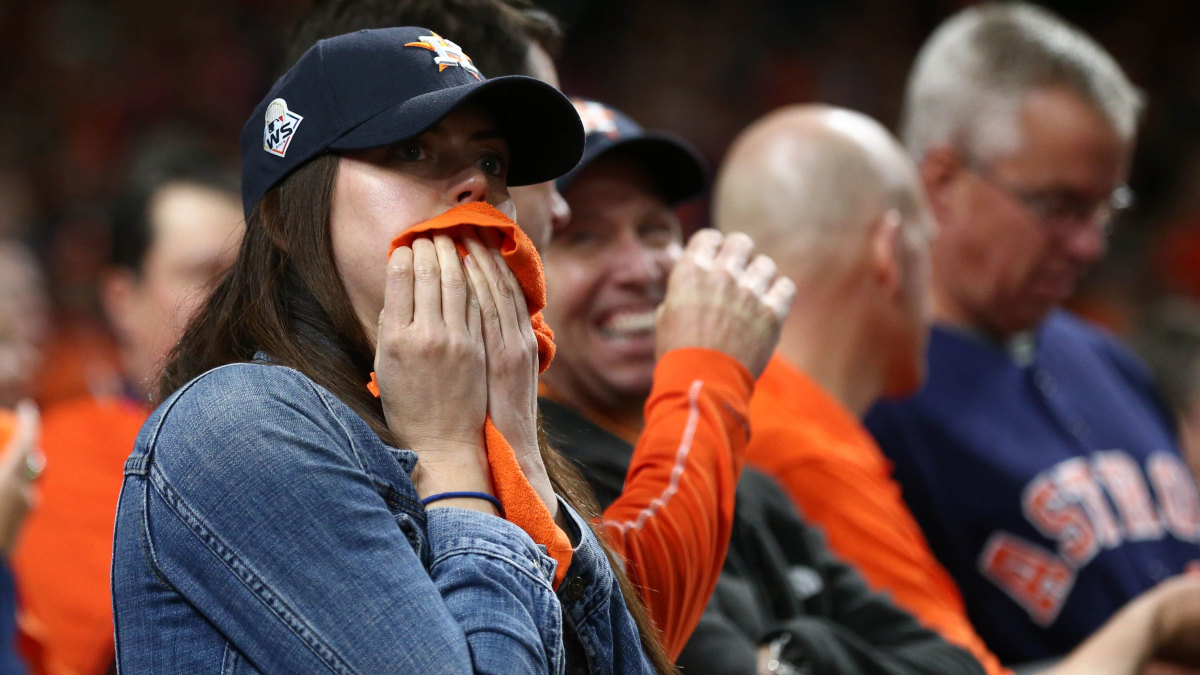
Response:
column 176, row 229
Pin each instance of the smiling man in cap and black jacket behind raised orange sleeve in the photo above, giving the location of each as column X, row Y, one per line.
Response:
column 784, row 604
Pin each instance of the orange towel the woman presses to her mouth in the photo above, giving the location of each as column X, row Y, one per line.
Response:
column 523, row 506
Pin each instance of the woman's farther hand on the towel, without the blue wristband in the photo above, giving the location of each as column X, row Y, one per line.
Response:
column 512, row 359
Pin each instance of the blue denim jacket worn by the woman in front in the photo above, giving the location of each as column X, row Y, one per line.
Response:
column 263, row 528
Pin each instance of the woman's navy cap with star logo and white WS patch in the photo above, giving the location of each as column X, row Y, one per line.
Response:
column 375, row 88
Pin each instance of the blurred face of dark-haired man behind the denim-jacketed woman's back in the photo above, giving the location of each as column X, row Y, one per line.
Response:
column 195, row 236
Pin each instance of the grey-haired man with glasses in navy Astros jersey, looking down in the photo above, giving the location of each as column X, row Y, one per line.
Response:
column 1039, row 458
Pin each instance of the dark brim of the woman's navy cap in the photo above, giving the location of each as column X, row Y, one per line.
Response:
column 542, row 128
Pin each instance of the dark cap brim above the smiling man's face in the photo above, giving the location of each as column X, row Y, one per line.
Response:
column 676, row 169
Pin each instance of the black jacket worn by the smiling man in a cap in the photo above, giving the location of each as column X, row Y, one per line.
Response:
column 779, row 578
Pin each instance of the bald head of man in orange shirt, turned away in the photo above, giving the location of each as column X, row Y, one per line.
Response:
column 837, row 201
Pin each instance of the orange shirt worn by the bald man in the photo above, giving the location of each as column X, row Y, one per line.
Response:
column 838, row 476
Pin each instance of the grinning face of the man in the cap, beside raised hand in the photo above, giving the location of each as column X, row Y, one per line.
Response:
column 607, row 274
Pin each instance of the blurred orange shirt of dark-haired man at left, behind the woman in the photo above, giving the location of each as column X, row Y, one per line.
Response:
column 65, row 549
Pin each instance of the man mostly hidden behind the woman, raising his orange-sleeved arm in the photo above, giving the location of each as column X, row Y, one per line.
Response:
column 517, row 39
